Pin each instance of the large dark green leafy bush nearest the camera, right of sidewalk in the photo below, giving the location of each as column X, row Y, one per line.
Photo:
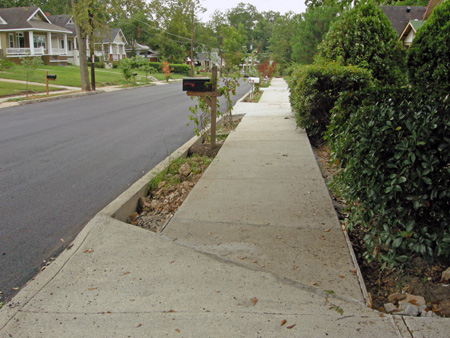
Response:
column 394, row 154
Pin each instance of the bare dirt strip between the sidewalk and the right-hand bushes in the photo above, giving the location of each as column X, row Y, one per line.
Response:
column 419, row 279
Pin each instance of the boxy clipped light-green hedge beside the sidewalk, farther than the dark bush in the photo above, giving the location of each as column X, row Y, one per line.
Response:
column 315, row 88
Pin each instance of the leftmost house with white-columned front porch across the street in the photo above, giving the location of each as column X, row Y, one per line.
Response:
column 28, row 32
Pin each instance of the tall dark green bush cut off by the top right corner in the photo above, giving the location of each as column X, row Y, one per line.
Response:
column 428, row 58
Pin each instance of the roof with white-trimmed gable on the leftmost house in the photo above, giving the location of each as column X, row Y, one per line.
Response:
column 27, row 19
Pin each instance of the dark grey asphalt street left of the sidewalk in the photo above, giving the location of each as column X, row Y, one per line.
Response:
column 63, row 161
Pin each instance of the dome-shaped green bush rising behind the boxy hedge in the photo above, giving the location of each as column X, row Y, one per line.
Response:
column 364, row 37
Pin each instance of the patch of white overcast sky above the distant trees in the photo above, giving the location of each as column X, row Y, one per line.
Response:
column 282, row 6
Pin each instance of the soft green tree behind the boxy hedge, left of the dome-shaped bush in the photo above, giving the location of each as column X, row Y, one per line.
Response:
column 309, row 30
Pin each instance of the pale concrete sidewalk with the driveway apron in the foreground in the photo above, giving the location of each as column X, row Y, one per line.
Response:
column 256, row 243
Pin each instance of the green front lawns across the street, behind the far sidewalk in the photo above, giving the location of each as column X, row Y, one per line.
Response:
column 70, row 75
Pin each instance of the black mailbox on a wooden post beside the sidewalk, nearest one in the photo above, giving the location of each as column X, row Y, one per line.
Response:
column 207, row 89
